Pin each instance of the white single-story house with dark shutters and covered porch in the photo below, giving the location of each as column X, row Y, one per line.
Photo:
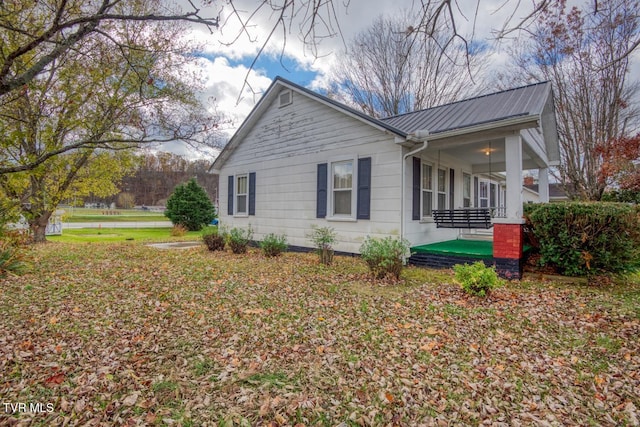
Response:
column 302, row 159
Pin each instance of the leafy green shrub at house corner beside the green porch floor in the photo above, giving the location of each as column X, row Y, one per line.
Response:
column 384, row 256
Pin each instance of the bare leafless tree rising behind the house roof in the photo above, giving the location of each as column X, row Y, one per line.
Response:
column 390, row 69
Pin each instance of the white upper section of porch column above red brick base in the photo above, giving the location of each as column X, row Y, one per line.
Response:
column 513, row 156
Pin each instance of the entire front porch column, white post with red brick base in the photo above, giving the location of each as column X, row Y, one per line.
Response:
column 508, row 235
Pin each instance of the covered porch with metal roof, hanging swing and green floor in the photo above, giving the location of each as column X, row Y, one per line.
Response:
column 492, row 140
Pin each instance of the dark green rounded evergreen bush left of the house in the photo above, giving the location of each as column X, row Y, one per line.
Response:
column 189, row 206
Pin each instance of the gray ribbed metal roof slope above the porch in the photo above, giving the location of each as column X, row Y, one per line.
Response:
column 519, row 102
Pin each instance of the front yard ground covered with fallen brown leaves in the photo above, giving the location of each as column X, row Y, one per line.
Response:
column 129, row 335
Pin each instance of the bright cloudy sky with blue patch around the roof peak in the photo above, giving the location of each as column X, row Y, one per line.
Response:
column 227, row 54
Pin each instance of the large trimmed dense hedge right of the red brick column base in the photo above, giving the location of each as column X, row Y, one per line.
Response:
column 586, row 238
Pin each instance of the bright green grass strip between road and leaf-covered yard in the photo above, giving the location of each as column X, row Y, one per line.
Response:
column 110, row 235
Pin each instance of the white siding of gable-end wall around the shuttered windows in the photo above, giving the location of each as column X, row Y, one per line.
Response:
column 284, row 148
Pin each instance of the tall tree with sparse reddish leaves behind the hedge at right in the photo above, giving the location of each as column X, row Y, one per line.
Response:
column 584, row 54
